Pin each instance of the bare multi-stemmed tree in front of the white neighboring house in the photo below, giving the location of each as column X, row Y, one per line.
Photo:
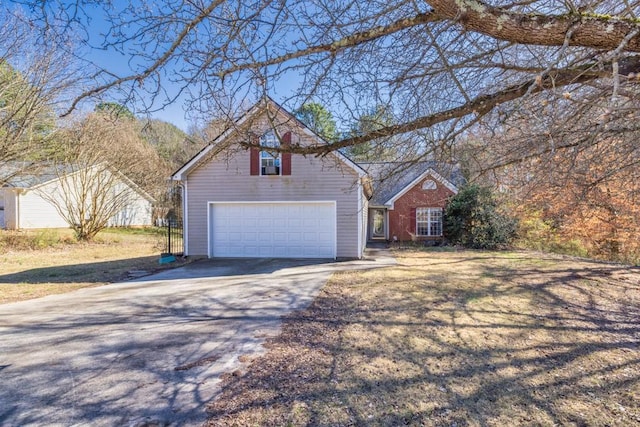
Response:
column 103, row 167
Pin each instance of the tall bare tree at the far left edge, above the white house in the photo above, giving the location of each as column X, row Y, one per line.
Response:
column 34, row 79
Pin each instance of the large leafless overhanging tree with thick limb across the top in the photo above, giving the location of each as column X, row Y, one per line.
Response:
column 441, row 66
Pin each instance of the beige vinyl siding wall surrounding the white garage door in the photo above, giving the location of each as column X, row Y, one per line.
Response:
column 227, row 178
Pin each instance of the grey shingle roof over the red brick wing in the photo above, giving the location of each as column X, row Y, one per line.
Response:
column 390, row 178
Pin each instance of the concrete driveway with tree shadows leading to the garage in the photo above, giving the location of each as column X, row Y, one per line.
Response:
column 150, row 351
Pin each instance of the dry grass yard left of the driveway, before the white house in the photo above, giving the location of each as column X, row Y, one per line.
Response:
column 59, row 265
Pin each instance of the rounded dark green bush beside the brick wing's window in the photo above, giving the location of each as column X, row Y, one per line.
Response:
column 473, row 219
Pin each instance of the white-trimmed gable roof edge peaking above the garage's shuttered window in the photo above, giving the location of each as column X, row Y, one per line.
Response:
column 258, row 108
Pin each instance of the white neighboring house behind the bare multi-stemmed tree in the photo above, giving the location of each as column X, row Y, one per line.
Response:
column 26, row 201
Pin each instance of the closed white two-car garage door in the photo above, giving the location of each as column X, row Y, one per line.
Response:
column 274, row 230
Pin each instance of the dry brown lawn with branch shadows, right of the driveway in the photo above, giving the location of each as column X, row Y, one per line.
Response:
column 453, row 339
